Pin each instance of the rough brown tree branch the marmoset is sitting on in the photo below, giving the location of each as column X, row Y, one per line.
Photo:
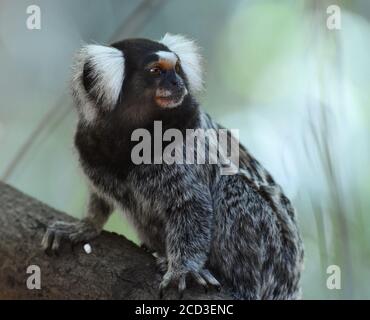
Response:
column 116, row 268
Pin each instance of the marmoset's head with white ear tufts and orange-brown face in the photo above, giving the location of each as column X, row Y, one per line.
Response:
column 135, row 74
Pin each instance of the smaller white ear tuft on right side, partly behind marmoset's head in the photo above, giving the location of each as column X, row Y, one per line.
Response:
column 191, row 60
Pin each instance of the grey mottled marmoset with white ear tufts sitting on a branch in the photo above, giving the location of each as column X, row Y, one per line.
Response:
column 234, row 231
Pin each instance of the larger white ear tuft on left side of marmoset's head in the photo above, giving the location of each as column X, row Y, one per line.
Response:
column 106, row 66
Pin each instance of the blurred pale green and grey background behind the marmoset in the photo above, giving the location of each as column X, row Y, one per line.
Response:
column 298, row 92
